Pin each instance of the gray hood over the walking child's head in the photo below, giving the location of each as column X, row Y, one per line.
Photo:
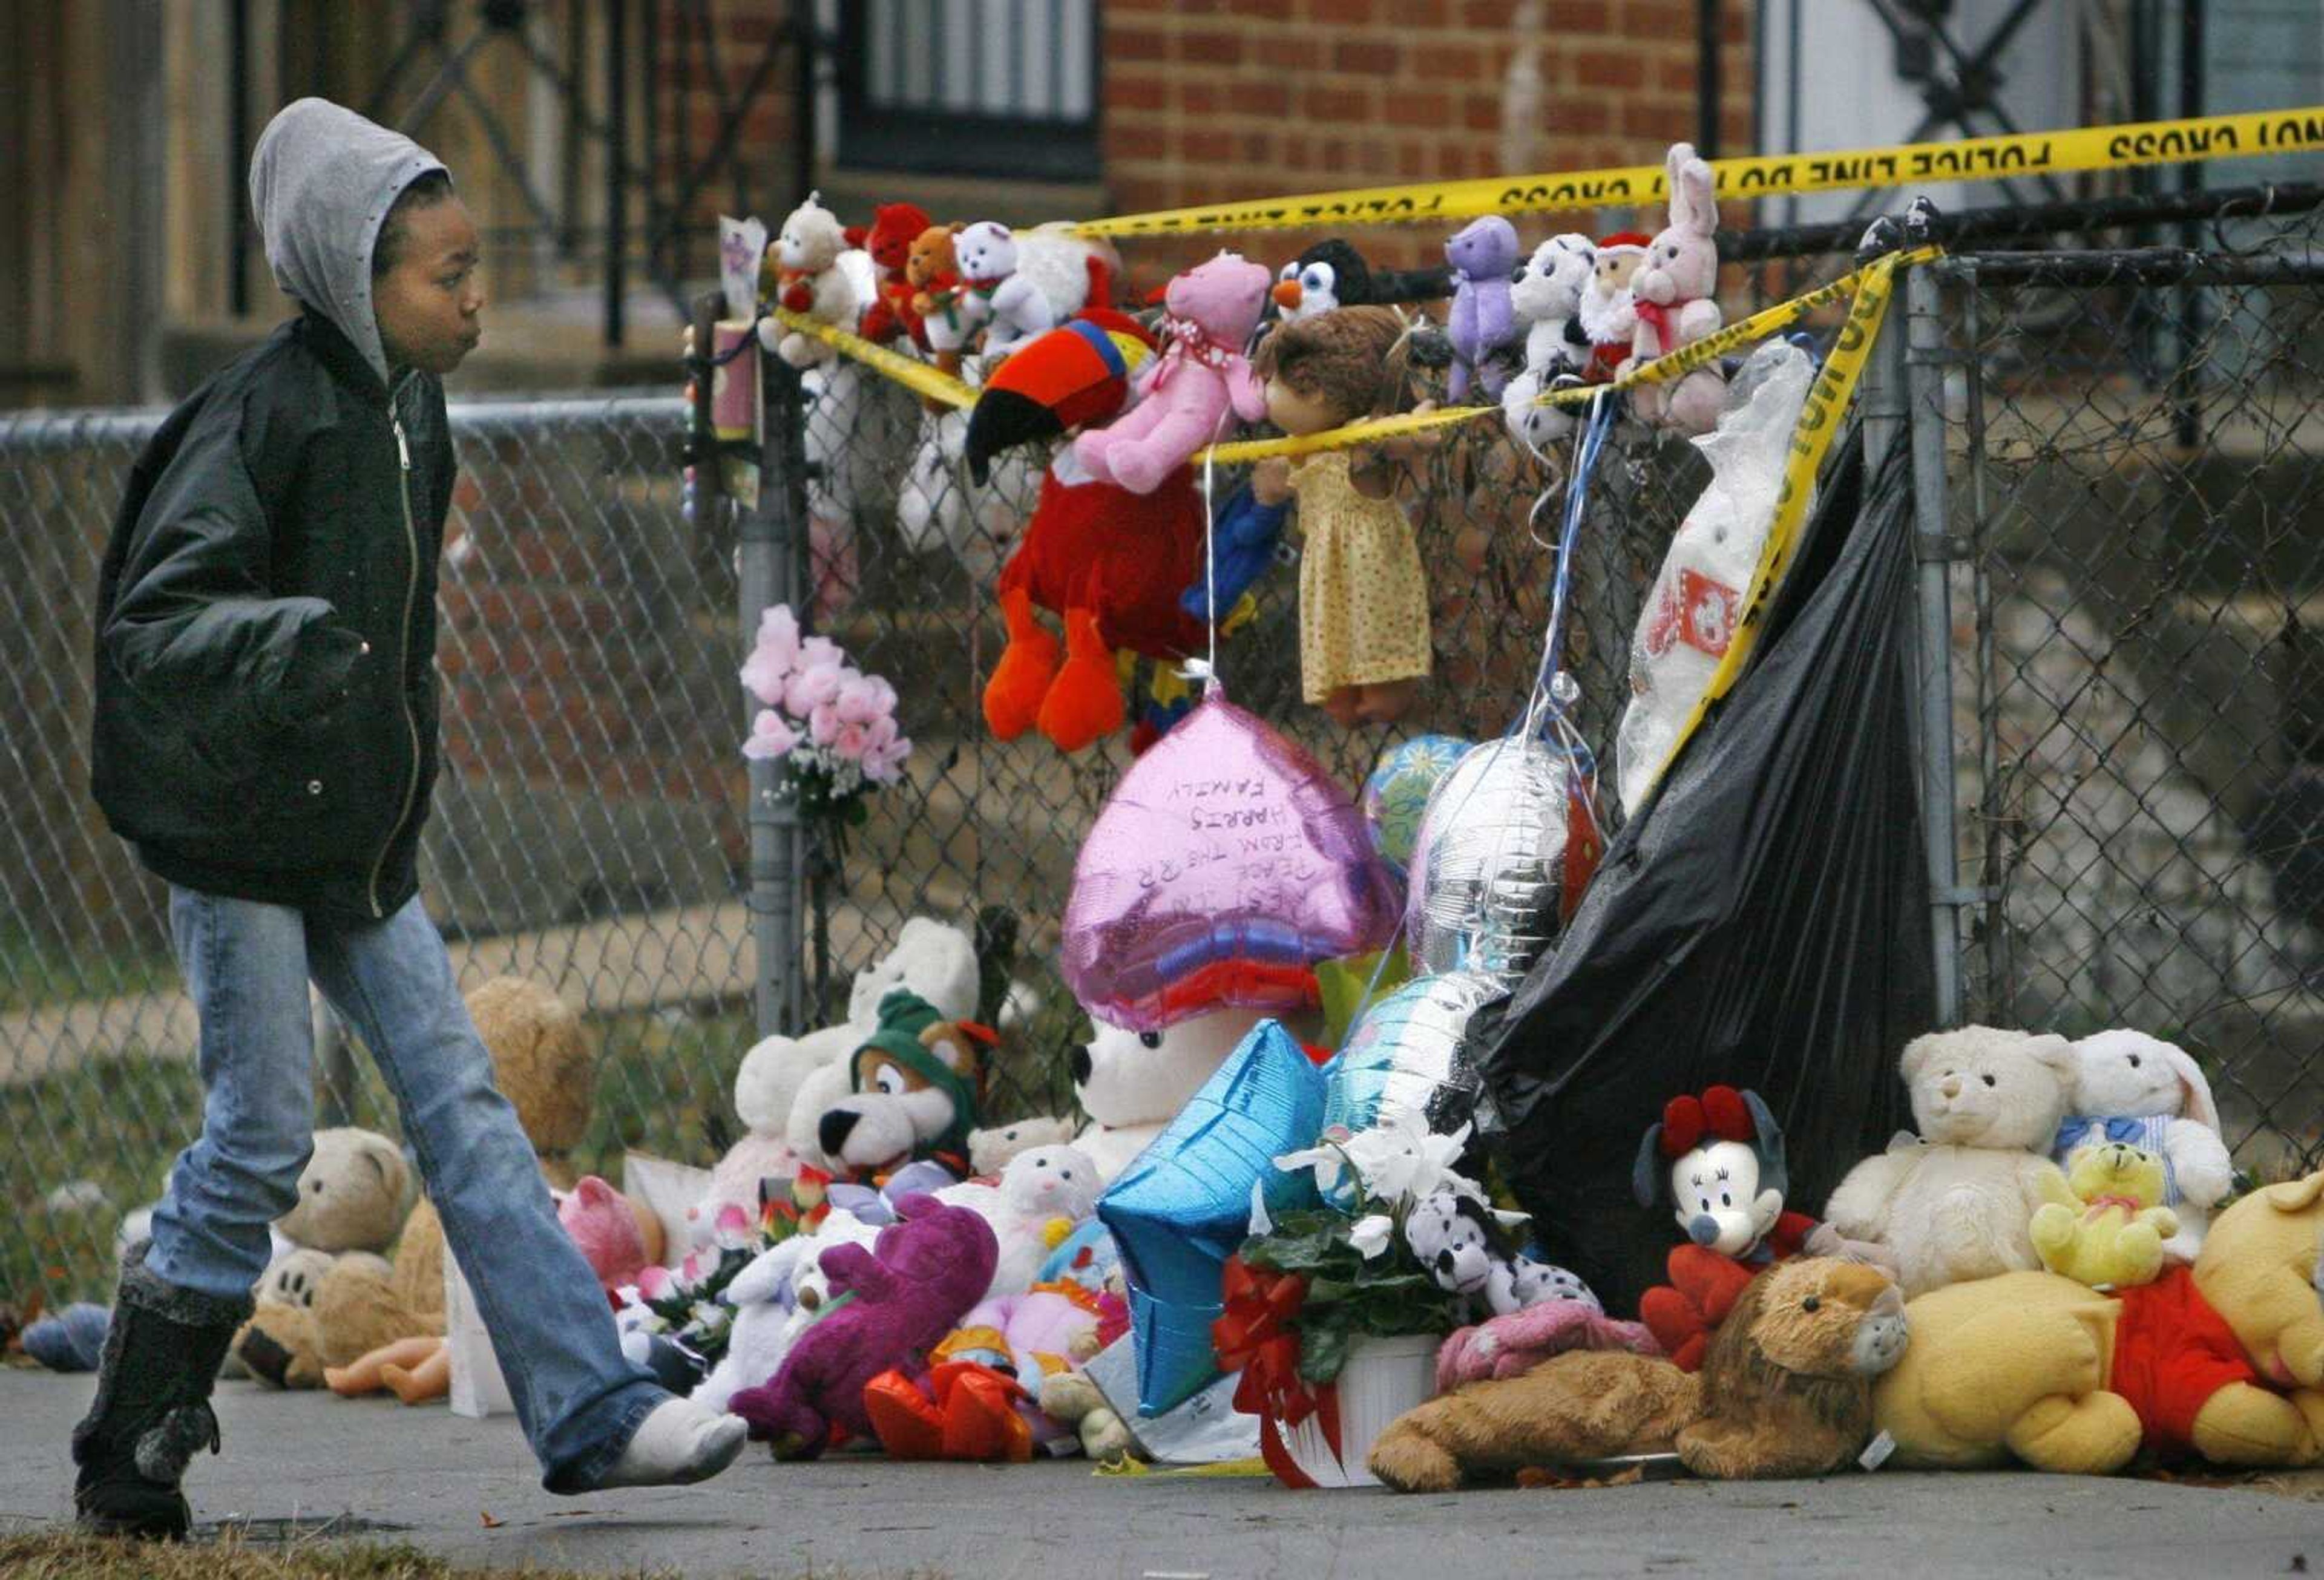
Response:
column 322, row 185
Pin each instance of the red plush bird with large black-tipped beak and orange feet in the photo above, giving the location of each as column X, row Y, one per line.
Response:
column 1103, row 559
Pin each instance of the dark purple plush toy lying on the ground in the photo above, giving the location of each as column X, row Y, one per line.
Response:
column 903, row 1295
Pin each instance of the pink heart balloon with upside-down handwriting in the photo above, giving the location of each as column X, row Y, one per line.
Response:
column 1219, row 872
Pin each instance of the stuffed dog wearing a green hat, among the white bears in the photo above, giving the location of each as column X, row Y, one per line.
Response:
column 914, row 1091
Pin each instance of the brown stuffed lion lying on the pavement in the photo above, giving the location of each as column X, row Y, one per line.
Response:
column 1786, row 1391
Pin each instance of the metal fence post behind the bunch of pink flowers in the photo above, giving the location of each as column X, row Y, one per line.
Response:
column 773, row 550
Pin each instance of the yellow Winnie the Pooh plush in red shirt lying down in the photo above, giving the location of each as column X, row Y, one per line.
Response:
column 2225, row 1360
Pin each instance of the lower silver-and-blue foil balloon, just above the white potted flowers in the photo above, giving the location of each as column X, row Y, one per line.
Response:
column 1407, row 1061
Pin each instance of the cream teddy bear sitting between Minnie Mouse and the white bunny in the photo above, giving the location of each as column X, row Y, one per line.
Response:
column 1956, row 1202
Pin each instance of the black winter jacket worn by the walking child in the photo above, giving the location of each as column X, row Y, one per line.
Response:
column 266, row 703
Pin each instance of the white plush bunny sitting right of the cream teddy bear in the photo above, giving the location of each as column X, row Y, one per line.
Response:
column 2137, row 1089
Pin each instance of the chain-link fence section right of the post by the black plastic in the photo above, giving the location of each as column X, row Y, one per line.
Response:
column 2135, row 445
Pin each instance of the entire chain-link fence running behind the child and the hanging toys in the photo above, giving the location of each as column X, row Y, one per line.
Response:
column 2125, row 524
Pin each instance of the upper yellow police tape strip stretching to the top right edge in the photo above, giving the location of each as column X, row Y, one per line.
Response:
column 1974, row 159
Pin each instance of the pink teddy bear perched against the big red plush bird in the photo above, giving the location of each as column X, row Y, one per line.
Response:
column 1189, row 392
